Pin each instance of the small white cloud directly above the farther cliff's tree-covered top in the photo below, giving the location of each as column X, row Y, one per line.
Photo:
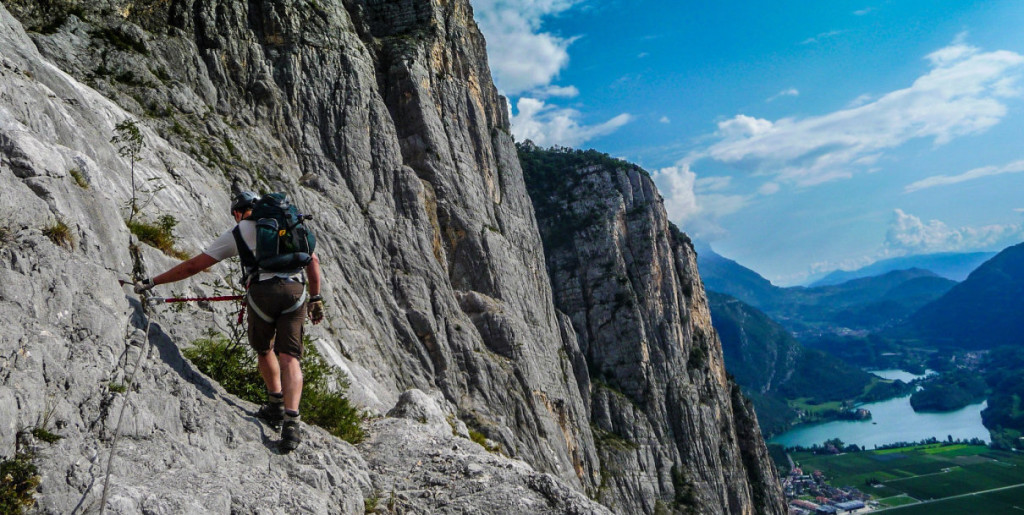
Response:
column 549, row 125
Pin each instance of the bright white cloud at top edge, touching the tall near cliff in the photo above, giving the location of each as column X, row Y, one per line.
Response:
column 522, row 57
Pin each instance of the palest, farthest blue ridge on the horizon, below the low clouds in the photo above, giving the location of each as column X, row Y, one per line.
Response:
column 952, row 266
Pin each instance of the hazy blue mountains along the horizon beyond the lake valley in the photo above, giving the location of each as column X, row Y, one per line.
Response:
column 986, row 311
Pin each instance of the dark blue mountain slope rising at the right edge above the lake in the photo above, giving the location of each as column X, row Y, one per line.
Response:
column 985, row 312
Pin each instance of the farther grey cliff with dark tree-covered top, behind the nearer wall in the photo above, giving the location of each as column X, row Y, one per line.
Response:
column 672, row 430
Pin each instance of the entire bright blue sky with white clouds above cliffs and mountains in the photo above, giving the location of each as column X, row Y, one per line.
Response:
column 797, row 138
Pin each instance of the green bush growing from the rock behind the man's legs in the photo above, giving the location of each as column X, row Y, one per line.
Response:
column 324, row 403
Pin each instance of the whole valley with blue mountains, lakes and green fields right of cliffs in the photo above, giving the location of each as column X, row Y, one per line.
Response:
column 947, row 352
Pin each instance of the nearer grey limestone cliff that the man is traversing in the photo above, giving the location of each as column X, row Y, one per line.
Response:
column 378, row 117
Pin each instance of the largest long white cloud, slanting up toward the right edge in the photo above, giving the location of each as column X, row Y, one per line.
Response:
column 963, row 94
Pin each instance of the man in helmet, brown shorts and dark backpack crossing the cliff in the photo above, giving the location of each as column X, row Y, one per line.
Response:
column 277, row 303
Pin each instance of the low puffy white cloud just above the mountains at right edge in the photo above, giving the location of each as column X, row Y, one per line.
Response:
column 909, row 235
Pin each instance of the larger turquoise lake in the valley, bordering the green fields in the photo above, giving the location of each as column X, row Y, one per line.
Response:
column 892, row 421
